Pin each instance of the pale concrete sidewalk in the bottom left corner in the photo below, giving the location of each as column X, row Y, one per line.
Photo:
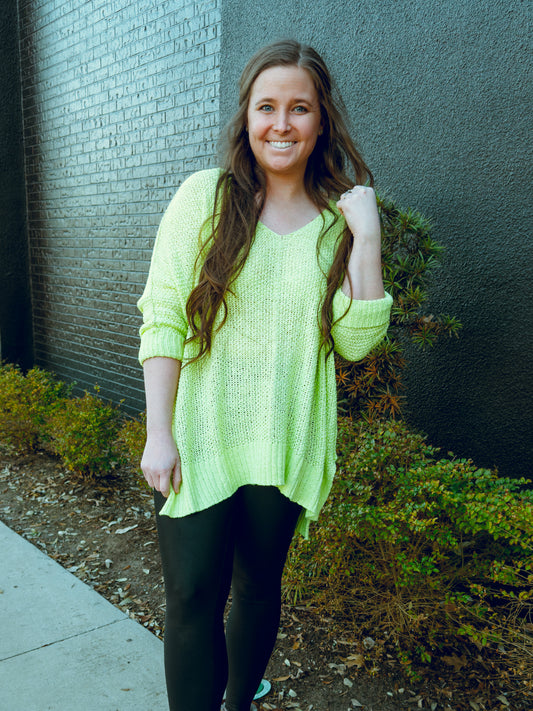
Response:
column 63, row 647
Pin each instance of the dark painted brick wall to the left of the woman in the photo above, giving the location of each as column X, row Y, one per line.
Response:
column 120, row 104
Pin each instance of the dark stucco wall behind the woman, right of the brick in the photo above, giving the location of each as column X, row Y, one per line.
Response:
column 439, row 95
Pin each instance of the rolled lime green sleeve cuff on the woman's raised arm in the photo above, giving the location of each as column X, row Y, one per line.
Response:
column 362, row 324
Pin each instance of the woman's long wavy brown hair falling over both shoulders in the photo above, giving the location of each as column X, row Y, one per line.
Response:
column 240, row 194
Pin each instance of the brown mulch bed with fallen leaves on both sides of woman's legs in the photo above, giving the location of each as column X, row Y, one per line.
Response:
column 103, row 531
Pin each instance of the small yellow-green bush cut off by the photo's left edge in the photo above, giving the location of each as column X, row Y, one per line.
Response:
column 26, row 404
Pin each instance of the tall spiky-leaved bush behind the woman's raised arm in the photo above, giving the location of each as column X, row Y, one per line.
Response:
column 372, row 387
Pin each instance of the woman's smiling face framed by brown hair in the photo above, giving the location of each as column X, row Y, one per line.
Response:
column 283, row 120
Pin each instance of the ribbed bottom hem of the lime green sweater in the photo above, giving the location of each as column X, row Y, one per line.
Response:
column 205, row 484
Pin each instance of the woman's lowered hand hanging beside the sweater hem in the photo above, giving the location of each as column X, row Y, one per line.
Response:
column 161, row 463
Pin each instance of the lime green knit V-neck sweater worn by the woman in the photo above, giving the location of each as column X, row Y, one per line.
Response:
column 261, row 408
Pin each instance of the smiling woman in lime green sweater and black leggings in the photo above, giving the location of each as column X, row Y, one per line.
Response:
column 257, row 274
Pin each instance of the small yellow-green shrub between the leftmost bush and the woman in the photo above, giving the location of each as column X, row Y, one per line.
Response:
column 84, row 432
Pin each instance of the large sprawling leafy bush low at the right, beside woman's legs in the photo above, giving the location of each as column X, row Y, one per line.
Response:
column 420, row 550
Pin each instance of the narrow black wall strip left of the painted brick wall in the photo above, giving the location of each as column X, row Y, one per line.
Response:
column 15, row 306
